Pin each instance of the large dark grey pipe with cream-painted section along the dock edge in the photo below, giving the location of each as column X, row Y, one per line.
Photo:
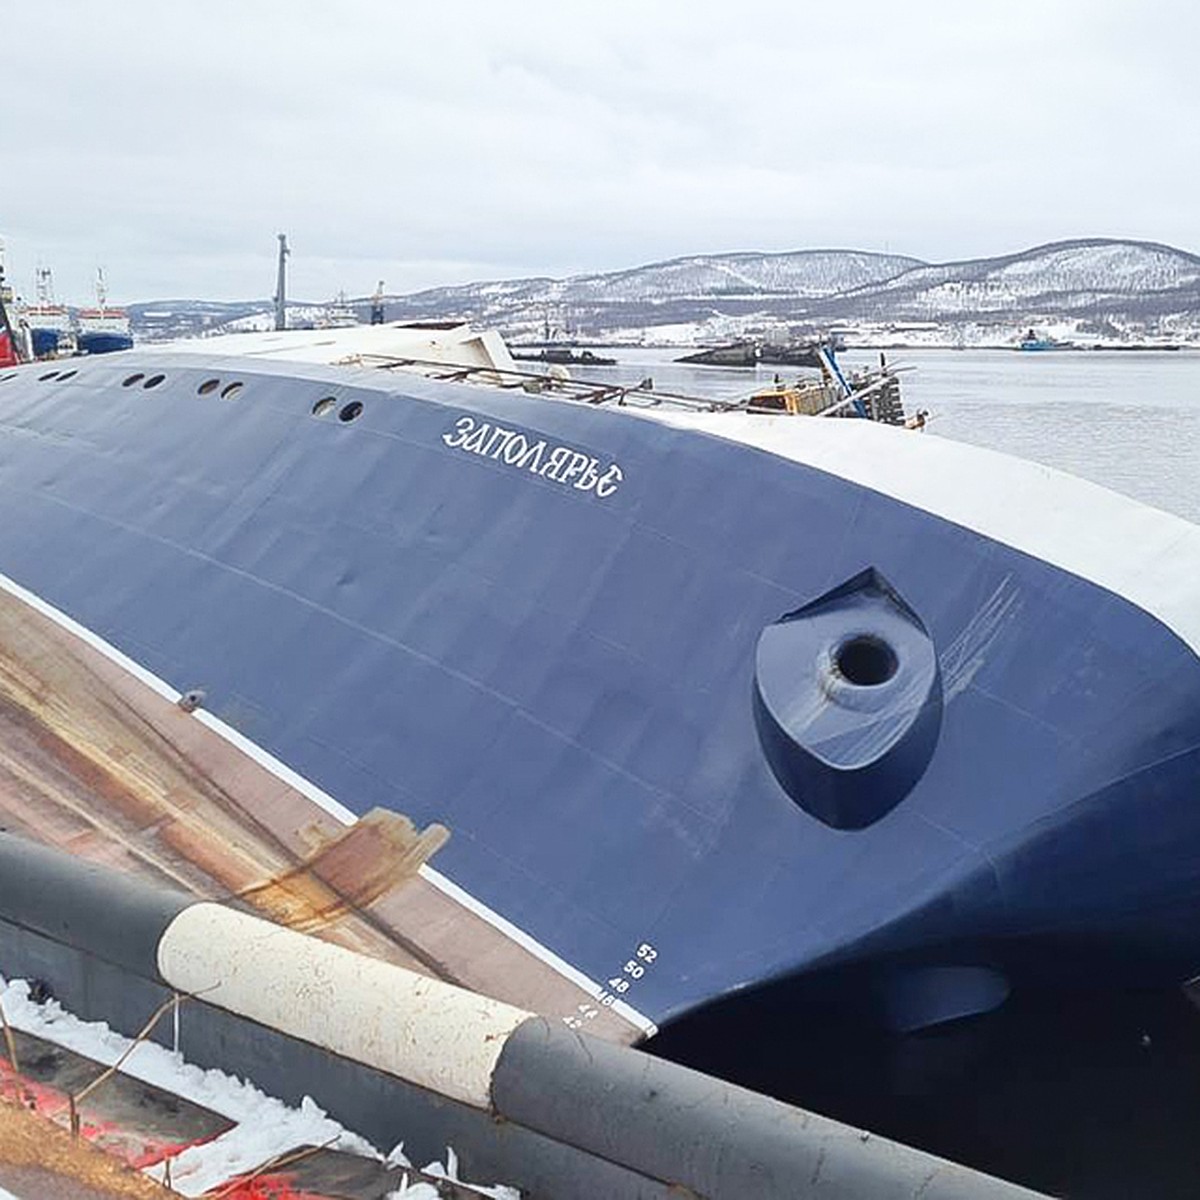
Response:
column 591, row 1120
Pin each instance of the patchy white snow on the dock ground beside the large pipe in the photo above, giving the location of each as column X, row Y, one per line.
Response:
column 266, row 1129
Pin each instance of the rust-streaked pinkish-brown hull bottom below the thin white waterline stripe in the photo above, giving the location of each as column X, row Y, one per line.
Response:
column 95, row 761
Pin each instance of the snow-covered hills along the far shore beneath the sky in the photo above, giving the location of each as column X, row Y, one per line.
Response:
column 1100, row 287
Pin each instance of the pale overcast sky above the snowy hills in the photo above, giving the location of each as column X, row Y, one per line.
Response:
column 439, row 143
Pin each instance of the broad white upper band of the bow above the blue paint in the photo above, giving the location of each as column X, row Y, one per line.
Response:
column 1149, row 557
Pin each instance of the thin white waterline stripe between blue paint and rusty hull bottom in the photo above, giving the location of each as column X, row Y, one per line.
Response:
column 322, row 799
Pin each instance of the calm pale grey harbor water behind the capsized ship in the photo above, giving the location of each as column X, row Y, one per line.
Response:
column 1130, row 421
